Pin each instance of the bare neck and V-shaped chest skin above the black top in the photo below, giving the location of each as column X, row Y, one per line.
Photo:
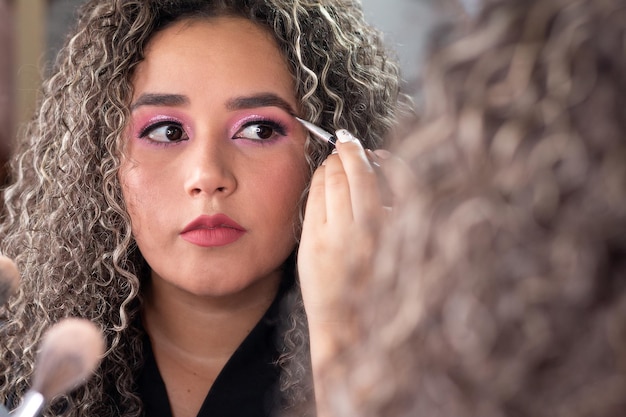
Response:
column 193, row 336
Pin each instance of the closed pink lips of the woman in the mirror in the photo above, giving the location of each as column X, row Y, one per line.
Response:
column 210, row 231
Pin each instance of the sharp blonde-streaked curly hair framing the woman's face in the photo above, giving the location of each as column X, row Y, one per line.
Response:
column 65, row 223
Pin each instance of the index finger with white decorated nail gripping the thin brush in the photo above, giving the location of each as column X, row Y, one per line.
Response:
column 362, row 179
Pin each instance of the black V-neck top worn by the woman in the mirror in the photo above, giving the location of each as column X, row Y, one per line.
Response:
column 247, row 386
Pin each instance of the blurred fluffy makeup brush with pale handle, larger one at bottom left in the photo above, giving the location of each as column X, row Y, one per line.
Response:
column 70, row 351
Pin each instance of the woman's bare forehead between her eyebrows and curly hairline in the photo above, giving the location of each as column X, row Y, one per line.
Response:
column 230, row 50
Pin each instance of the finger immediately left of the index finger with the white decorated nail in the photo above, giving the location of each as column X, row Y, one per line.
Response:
column 338, row 201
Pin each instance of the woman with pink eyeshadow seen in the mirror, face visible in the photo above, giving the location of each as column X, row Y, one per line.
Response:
column 158, row 192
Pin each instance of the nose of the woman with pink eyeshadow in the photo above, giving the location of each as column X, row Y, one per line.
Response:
column 209, row 169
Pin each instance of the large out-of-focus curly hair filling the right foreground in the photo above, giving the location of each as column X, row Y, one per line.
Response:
column 500, row 289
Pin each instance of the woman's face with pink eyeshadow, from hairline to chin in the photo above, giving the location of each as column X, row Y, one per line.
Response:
column 214, row 166
